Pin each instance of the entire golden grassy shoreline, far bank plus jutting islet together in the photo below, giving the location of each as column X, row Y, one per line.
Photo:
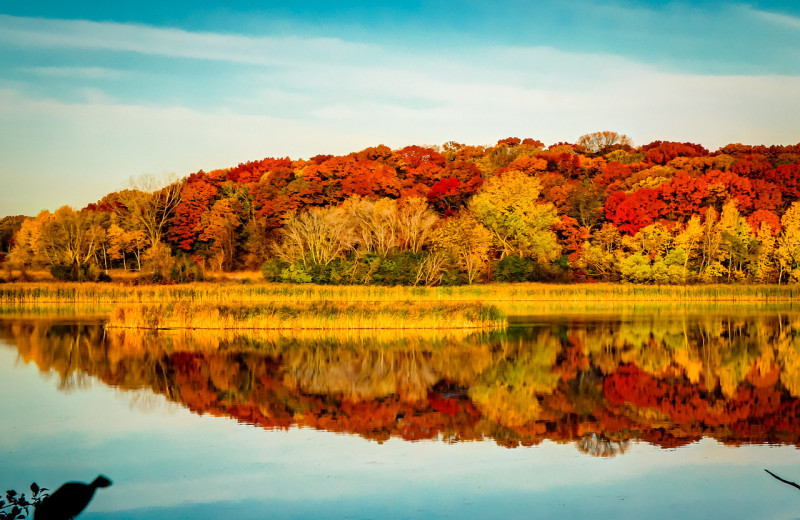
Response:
column 236, row 306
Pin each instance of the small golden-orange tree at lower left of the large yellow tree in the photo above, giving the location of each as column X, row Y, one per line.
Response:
column 466, row 241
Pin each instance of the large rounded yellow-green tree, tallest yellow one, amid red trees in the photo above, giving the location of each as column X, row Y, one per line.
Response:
column 508, row 206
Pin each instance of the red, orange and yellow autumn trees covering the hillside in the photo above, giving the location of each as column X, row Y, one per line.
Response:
column 598, row 209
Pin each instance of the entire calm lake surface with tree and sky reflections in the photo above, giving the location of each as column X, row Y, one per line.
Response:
column 647, row 415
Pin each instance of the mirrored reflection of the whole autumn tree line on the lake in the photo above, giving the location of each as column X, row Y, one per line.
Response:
column 598, row 383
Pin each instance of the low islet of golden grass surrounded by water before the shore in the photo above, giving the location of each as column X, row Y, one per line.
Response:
column 315, row 315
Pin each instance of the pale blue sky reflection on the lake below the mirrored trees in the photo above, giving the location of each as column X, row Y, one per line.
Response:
column 168, row 463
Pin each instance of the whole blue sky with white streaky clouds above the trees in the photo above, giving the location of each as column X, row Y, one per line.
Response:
column 95, row 93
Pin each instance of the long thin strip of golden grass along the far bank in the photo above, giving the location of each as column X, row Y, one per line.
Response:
column 229, row 293
